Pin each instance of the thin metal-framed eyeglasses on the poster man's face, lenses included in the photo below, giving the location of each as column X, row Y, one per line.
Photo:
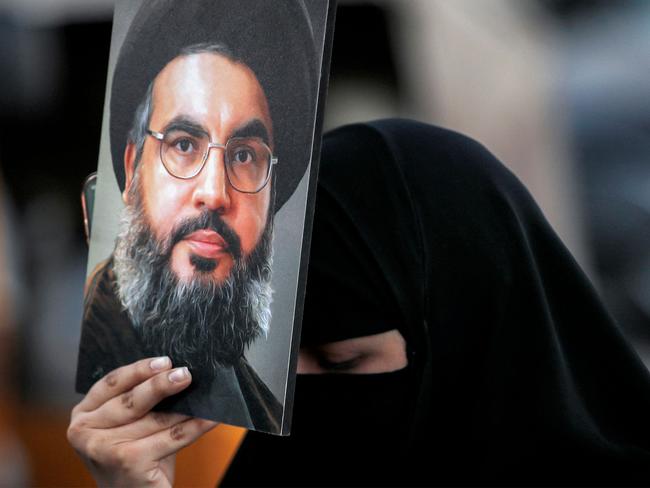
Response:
column 248, row 160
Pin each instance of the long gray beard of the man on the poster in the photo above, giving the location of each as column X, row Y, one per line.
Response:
column 198, row 323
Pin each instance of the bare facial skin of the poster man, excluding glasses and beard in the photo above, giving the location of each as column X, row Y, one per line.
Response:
column 224, row 99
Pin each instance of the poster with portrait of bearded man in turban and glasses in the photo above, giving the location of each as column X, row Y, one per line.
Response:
column 205, row 184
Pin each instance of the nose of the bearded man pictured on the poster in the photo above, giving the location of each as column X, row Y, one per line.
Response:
column 212, row 189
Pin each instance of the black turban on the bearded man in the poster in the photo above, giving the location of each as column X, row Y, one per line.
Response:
column 273, row 38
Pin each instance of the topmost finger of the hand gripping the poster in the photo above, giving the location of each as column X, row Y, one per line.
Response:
column 121, row 380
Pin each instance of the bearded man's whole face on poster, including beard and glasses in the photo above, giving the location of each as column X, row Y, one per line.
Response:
column 193, row 256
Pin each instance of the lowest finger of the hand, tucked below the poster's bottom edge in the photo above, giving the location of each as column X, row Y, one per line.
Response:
column 171, row 440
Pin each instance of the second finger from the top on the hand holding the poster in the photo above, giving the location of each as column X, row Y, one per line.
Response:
column 134, row 404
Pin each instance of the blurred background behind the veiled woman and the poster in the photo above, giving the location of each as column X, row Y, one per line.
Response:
column 559, row 90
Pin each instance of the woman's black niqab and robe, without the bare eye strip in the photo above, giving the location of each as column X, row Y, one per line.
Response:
column 516, row 375
